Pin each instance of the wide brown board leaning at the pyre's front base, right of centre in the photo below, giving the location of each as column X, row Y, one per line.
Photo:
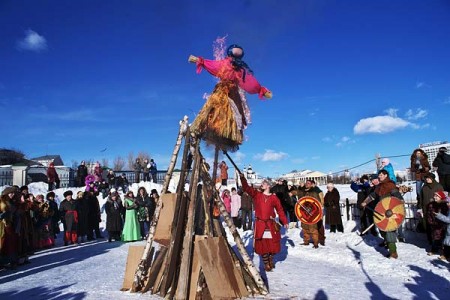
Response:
column 214, row 255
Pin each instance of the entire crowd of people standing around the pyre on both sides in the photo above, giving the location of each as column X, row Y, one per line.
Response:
column 30, row 223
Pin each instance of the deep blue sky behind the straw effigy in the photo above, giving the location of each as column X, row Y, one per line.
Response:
column 349, row 78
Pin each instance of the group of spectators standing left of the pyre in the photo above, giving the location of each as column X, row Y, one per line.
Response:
column 29, row 223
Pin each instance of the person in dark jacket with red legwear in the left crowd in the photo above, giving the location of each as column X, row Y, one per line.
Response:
column 69, row 217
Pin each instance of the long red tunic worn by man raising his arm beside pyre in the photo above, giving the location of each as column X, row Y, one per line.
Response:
column 265, row 207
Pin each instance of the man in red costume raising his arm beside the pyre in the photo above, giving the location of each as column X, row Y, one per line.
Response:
column 267, row 233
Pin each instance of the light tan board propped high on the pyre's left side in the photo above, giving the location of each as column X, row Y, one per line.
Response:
column 164, row 226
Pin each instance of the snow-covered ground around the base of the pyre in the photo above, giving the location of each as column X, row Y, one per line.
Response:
column 349, row 266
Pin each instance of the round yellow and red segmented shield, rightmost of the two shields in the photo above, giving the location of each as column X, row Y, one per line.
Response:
column 389, row 213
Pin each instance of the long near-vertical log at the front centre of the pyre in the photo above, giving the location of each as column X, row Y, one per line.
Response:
column 186, row 257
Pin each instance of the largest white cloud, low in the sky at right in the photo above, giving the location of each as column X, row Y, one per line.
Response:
column 380, row 124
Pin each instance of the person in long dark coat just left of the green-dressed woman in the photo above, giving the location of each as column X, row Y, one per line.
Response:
column 114, row 210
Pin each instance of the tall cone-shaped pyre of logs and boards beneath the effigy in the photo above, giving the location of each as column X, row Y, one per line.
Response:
column 192, row 258
